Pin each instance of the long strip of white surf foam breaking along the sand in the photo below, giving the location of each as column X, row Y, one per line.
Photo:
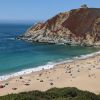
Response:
column 47, row 66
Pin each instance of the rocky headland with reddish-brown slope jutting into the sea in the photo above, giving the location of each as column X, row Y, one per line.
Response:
column 76, row 27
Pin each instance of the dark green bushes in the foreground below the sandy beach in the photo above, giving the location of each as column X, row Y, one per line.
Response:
column 53, row 94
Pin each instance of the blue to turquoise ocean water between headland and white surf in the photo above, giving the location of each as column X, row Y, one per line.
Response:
column 17, row 55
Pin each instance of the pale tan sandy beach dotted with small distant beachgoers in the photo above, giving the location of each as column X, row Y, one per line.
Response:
column 83, row 74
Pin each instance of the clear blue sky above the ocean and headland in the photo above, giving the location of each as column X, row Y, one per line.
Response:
column 27, row 10
